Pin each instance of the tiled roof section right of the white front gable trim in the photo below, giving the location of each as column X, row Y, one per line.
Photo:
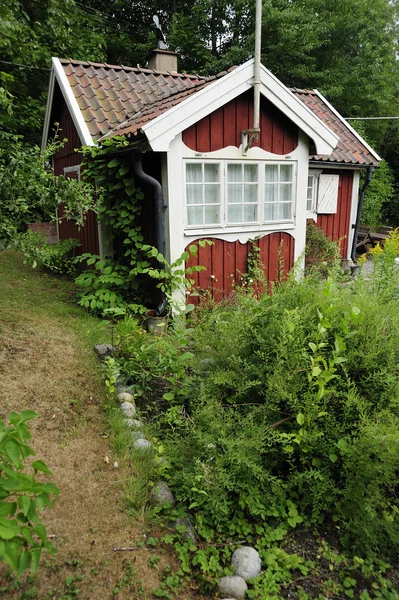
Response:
column 349, row 149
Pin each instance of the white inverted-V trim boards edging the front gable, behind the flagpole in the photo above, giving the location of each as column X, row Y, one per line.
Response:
column 161, row 131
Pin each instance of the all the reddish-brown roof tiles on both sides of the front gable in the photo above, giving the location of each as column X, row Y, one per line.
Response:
column 118, row 100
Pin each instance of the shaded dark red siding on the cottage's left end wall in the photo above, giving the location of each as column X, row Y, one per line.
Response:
column 67, row 157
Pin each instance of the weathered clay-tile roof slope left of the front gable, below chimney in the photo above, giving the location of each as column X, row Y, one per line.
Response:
column 108, row 95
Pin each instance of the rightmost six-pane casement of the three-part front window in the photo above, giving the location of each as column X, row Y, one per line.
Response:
column 278, row 192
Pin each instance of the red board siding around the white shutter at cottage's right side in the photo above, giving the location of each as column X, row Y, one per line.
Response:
column 336, row 226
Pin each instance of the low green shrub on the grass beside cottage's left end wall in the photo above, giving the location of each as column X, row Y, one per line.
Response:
column 55, row 257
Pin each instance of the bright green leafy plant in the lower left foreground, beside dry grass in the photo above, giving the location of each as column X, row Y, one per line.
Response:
column 22, row 496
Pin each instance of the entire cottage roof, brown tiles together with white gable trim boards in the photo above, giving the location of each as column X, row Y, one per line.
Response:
column 106, row 100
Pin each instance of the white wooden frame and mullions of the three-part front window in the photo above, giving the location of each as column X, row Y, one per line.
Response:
column 260, row 222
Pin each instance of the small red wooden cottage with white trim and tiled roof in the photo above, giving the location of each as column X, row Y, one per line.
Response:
column 201, row 177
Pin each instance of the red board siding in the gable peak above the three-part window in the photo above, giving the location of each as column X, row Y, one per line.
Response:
column 223, row 127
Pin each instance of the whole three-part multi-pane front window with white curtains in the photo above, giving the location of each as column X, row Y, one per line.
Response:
column 228, row 193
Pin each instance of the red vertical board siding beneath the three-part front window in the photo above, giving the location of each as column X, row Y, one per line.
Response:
column 225, row 262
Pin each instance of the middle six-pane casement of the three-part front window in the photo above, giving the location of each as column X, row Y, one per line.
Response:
column 242, row 193
